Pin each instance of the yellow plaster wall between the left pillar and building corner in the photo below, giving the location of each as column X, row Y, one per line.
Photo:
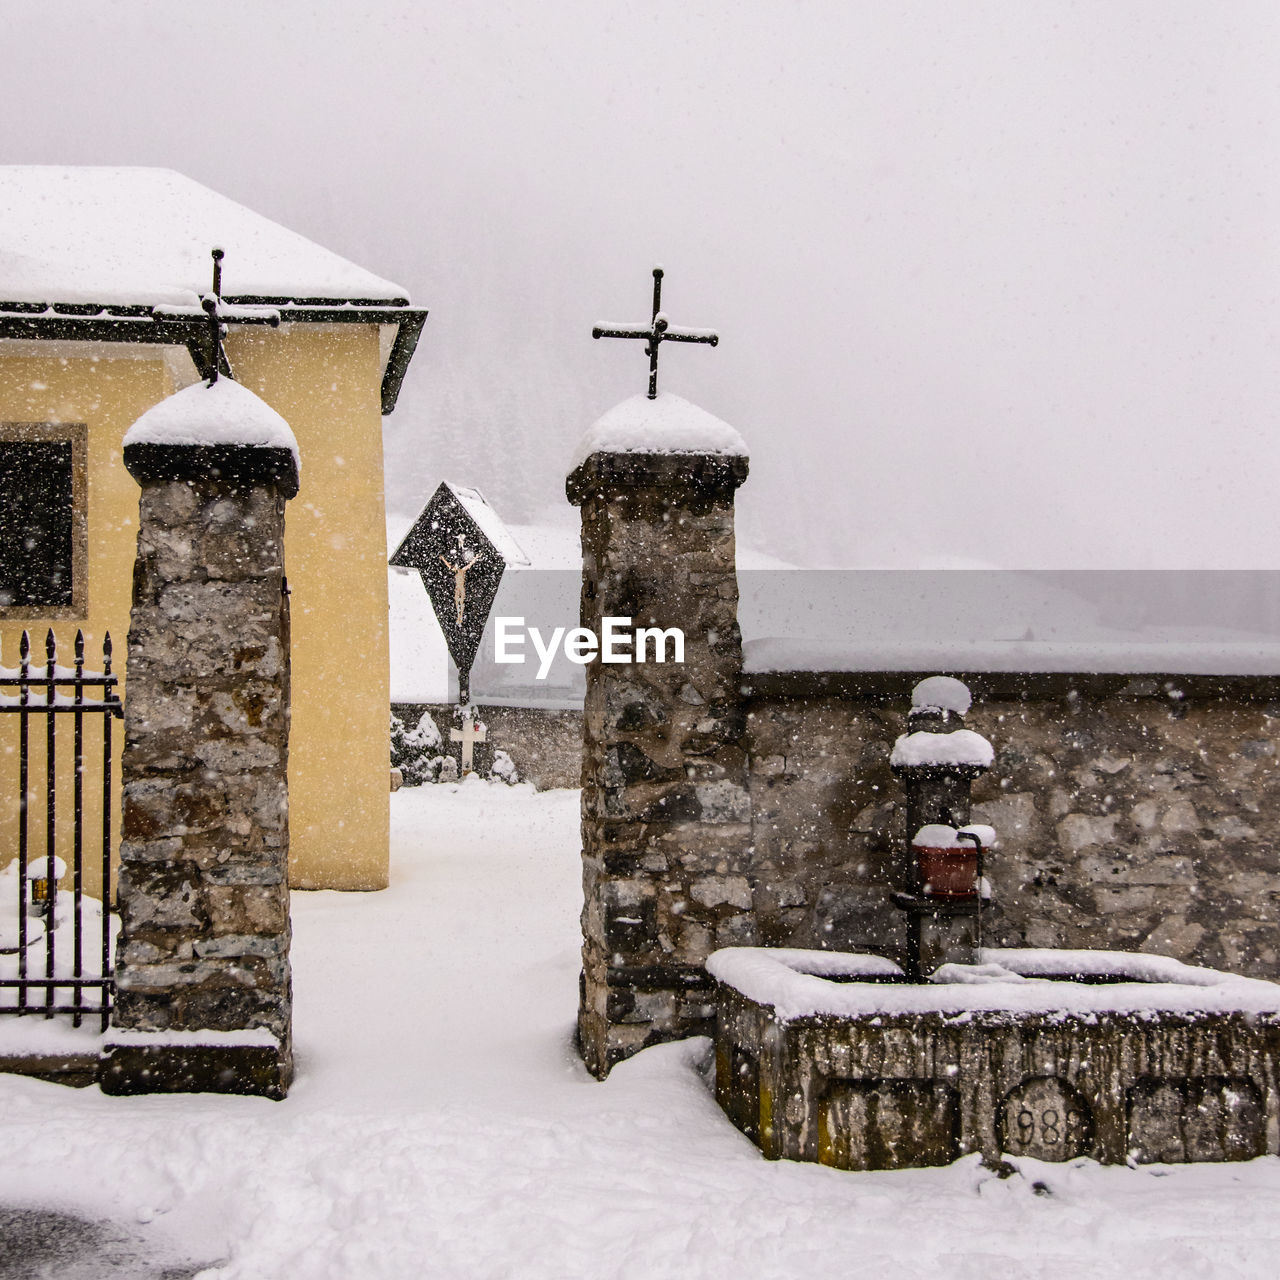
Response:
column 324, row 381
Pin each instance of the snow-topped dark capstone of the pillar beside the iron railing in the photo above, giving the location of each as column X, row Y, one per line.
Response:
column 218, row 428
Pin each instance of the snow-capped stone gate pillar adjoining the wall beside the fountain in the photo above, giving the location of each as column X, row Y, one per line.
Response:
column 666, row 821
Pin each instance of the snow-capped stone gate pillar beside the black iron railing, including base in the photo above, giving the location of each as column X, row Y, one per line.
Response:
column 203, row 962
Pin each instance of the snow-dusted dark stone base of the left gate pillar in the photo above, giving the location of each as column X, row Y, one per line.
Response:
column 186, row 1063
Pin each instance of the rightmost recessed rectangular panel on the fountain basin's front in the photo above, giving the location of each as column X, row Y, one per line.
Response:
column 1210, row 1118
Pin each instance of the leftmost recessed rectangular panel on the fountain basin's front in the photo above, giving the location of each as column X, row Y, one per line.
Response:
column 889, row 1124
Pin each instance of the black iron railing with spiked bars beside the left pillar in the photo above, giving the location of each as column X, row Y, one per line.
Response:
column 56, row 740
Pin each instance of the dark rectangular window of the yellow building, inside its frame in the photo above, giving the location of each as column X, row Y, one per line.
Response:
column 38, row 524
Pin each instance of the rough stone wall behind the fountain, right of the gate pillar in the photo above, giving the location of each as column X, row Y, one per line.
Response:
column 1135, row 813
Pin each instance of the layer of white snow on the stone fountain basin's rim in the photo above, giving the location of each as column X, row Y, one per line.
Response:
column 1021, row 981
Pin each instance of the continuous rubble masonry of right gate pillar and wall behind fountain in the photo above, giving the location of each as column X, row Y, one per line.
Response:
column 724, row 808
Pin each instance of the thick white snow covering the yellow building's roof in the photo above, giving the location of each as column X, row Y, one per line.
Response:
column 132, row 236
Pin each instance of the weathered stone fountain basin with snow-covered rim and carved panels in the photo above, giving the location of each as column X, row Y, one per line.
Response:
column 835, row 1058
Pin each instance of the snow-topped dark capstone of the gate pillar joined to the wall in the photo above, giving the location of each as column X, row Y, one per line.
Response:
column 655, row 441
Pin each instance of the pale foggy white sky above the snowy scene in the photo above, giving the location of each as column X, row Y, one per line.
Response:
column 993, row 280
